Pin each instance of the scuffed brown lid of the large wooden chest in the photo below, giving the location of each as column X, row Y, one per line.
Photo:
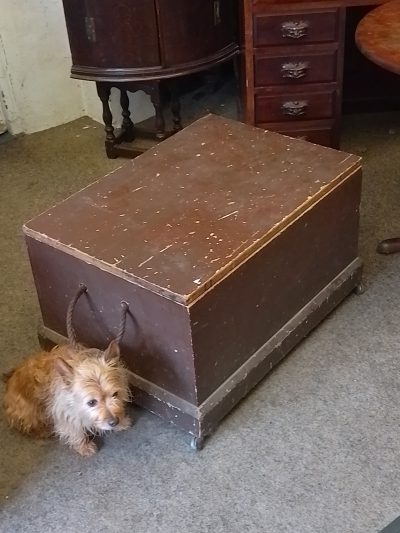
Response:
column 181, row 216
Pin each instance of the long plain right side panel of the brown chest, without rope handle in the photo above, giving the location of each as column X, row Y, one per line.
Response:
column 239, row 315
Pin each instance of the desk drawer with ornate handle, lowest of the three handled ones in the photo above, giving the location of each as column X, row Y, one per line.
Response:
column 295, row 106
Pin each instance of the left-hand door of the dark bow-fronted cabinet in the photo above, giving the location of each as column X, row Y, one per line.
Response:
column 112, row 33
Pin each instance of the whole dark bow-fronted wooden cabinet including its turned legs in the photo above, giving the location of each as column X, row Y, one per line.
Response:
column 143, row 45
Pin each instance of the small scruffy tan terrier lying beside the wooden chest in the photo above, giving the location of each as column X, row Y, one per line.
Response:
column 73, row 393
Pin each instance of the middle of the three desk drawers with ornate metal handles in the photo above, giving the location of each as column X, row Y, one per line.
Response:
column 295, row 69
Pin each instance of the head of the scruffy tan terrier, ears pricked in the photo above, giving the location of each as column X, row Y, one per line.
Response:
column 97, row 387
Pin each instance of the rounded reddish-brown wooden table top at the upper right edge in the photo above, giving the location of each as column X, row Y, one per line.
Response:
column 378, row 36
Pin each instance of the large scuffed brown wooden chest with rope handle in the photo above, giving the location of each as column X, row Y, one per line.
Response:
column 228, row 242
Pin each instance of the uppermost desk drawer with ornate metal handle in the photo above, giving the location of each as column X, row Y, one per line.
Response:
column 296, row 28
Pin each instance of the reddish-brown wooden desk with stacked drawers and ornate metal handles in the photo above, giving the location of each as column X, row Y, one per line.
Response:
column 293, row 66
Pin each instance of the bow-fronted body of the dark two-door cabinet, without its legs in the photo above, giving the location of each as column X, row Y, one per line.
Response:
column 133, row 40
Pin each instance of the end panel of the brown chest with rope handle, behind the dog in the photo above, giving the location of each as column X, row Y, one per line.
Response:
column 157, row 341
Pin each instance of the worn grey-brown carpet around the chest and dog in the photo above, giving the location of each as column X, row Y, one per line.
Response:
column 314, row 448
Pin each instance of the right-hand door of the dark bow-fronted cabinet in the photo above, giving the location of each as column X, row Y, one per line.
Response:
column 194, row 29
